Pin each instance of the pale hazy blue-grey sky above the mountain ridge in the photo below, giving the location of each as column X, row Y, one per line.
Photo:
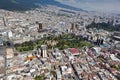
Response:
column 112, row 6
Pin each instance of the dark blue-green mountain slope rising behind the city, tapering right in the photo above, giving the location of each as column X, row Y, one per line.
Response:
column 31, row 4
